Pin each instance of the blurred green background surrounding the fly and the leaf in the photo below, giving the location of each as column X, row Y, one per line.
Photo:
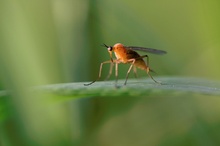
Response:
column 58, row 41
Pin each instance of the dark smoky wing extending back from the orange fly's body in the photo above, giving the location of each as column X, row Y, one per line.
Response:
column 149, row 50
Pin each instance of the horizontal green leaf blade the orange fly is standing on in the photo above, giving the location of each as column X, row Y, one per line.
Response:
column 135, row 87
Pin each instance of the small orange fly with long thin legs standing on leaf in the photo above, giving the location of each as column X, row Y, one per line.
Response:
column 128, row 54
